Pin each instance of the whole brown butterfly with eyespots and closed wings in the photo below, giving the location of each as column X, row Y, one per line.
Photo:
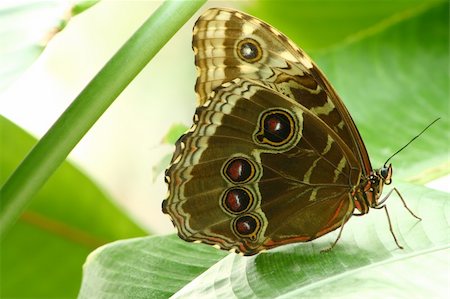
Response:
column 273, row 156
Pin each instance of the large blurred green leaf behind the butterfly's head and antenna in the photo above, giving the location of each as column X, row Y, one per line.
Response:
column 394, row 82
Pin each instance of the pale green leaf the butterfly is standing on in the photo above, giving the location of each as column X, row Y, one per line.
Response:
column 156, row 267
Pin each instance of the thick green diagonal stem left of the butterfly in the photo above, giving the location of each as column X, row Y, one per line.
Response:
column 91, row 103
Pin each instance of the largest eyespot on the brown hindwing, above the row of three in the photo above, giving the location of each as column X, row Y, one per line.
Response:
column 276, row 128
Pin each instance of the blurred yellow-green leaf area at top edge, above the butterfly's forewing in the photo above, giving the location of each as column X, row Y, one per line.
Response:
column 319, row 24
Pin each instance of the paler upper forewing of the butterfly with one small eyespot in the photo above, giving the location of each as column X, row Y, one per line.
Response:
column 221, row 39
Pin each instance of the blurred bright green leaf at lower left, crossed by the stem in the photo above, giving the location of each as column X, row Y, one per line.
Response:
column 66, row 220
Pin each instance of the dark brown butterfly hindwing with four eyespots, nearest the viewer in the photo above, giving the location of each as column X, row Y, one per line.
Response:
column 254, row 172
